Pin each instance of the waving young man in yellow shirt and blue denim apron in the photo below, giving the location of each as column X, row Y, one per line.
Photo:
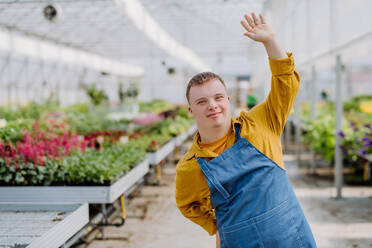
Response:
column 232, row 181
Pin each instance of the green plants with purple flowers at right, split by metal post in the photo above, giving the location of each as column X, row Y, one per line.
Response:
column 356, row 134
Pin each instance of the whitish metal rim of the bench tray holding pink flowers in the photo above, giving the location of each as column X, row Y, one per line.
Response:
column 74, row 194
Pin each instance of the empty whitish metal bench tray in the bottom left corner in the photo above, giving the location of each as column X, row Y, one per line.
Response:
column 39, row 226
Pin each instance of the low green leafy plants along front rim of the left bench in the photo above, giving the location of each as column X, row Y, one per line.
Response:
column 92, row 167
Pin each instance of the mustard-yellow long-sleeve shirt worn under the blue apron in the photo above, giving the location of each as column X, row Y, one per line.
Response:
column 262, row 126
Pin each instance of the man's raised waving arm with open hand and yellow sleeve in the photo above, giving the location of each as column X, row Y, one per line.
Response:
column 285, row 79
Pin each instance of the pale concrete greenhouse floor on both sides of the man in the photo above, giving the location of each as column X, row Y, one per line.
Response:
column 155, row 222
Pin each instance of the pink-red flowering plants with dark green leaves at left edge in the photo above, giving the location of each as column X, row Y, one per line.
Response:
column 22, row 163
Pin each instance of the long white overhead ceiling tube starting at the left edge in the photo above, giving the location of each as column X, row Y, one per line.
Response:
column 48, row 51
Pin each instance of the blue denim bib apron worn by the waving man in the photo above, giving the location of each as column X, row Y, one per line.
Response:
column 254, row 202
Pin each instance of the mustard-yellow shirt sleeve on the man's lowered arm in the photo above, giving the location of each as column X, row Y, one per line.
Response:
column 192, row 201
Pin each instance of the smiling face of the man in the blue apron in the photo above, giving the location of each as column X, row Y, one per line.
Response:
column 210, row 105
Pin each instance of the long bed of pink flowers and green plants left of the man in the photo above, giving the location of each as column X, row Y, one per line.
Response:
column 73, row 146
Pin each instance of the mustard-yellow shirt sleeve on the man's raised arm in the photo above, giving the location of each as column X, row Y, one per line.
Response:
column 285, row 82
